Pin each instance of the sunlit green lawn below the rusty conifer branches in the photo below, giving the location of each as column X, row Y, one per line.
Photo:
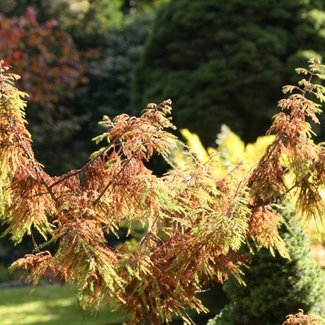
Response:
column 49, row 305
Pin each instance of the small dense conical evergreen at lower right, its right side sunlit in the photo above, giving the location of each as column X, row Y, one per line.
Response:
column 276, row 286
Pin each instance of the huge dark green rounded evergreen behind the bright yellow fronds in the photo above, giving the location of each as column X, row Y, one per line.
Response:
column 225, row 61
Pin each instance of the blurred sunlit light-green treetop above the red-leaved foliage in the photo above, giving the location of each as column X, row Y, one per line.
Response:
column 88, row 21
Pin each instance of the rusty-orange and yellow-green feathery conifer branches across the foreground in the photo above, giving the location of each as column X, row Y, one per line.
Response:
column 192, row 221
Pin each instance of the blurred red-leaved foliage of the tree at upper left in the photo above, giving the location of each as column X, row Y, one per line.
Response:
column 39, row 52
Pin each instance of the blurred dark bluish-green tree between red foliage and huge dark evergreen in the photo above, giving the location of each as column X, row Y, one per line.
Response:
column 110, row 78
